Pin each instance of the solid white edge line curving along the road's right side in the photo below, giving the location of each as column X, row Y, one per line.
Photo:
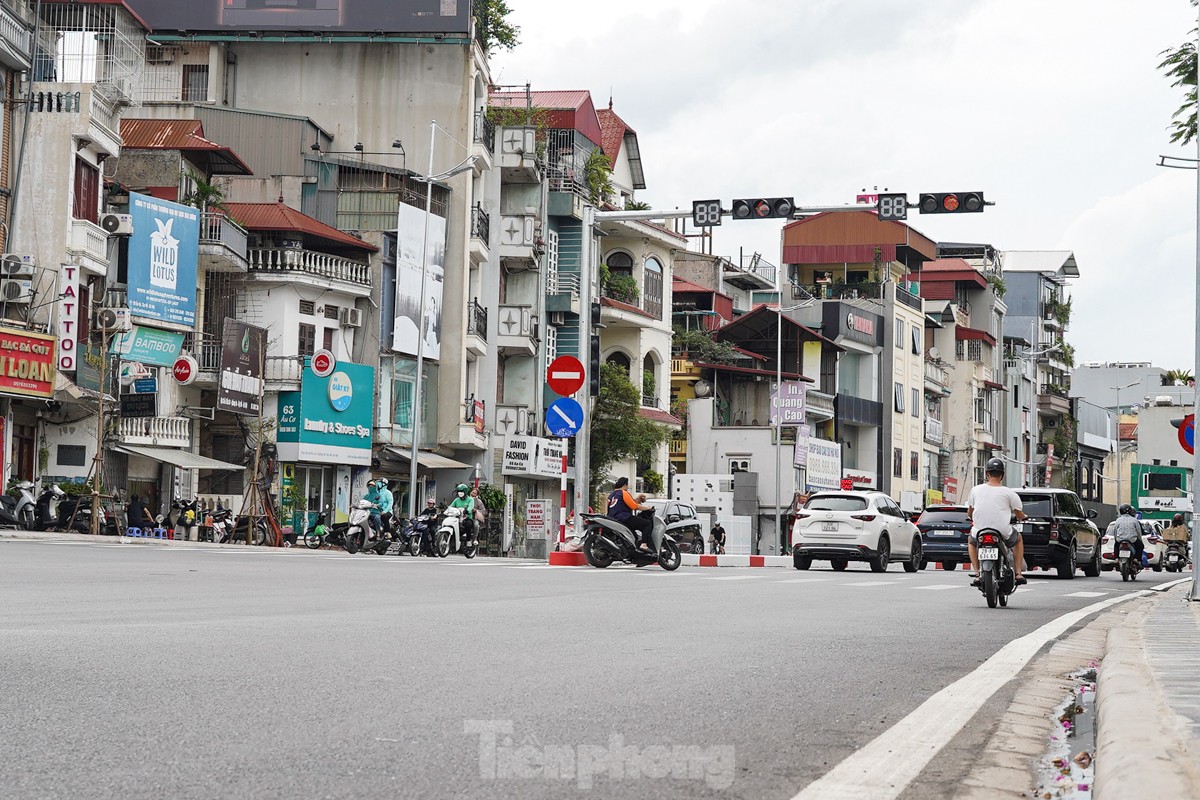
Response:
column 885, row 767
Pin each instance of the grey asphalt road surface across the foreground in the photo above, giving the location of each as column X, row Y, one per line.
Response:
column 175, row 671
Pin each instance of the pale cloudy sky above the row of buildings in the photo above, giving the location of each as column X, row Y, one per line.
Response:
column 1054, row 109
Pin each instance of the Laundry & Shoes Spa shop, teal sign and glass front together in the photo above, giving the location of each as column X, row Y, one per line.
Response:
column 325, row 440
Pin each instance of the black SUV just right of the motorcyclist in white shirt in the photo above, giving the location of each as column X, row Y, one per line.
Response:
column 1058, row 533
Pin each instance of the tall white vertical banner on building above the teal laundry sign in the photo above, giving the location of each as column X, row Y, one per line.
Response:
column 413, row 312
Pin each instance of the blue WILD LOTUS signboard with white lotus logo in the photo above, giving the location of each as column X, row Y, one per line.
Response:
column 163, row 263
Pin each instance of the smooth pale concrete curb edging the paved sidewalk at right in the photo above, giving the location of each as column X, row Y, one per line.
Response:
column 1141, row 751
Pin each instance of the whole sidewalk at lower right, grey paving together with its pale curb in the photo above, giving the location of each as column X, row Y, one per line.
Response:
column 1149, row 702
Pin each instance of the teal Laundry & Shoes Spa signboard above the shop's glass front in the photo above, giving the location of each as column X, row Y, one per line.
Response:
column 329, row 420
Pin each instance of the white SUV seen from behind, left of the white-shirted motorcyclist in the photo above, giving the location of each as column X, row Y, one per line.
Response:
column 848, row 527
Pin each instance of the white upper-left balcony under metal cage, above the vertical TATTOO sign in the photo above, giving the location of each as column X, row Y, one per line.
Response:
column 77, row 110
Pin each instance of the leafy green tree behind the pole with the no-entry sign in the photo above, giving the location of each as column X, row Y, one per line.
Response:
column 619, row 431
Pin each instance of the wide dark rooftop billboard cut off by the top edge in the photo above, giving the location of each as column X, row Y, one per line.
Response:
column 308, row 16
